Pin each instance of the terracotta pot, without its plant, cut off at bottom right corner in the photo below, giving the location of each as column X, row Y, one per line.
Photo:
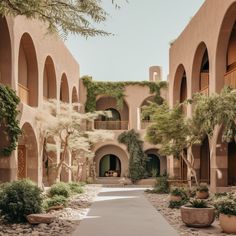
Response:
column 228, row 223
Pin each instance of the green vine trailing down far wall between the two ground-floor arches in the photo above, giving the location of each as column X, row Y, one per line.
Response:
column 137, row 157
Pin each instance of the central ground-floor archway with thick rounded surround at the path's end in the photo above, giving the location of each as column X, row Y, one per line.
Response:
column 110, row 153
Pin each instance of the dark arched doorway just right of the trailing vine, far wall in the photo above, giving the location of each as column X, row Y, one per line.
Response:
column 153, row 165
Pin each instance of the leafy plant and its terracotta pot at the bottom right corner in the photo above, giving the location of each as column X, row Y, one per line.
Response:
column 226, row 207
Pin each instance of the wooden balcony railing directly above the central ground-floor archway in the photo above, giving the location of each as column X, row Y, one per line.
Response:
column 111, row 125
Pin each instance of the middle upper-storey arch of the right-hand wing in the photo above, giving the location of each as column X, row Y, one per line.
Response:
column 200, row 73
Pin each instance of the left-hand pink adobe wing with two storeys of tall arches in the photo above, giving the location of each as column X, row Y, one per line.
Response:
column 37, row 66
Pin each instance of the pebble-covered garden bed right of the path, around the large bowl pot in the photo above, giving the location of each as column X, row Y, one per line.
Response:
column 161, row 202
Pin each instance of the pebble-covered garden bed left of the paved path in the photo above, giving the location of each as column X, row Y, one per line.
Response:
column 68, row 218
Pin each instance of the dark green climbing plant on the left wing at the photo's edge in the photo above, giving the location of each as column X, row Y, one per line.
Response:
column 9, row 123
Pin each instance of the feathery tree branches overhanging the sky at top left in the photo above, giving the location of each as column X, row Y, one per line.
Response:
column 76, row 17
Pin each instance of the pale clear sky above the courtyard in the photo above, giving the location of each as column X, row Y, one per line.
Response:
column 142, row 32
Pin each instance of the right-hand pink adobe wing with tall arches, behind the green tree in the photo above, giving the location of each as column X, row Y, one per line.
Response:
column 203, row 59
